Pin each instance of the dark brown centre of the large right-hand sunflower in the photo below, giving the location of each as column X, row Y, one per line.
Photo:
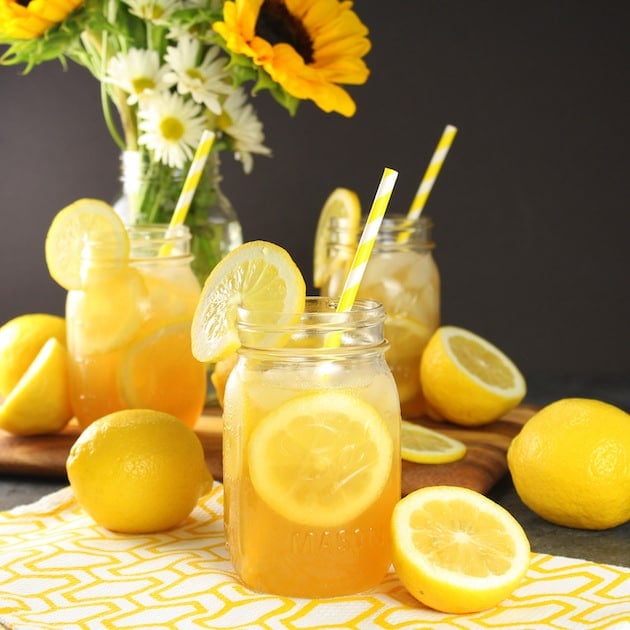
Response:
column 278, row 26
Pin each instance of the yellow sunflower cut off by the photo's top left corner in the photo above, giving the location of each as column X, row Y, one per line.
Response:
column 28, row 19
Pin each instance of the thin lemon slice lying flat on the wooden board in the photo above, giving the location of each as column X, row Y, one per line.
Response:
column 425, row 446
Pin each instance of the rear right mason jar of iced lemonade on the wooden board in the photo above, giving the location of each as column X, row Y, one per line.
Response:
column 403, row 276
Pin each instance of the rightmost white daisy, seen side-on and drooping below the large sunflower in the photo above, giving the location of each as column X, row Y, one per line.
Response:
column 240, row 122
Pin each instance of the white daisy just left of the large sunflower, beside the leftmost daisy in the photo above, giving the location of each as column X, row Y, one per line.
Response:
column 203, row 81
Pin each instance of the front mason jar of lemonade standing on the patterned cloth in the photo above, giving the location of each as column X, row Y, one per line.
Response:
column 311, row 451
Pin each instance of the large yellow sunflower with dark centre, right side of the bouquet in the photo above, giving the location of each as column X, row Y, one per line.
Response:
column 308, row 47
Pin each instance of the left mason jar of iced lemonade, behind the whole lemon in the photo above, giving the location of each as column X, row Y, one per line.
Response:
column 128, row 328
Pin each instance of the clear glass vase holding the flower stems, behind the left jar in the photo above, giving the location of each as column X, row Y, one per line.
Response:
column 149, row 195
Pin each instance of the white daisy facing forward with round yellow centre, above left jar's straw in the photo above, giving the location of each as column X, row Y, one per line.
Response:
column 171, row 128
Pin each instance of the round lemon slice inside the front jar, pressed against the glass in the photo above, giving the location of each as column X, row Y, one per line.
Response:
column 300, row 464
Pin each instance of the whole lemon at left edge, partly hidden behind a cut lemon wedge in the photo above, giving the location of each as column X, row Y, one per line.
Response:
column 21, row 339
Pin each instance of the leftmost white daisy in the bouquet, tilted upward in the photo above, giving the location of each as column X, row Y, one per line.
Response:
column 137, row 72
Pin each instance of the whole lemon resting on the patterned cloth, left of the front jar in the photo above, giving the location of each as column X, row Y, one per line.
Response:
column 138, row 471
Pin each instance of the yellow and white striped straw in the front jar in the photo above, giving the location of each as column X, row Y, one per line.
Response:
column 367, row 240
